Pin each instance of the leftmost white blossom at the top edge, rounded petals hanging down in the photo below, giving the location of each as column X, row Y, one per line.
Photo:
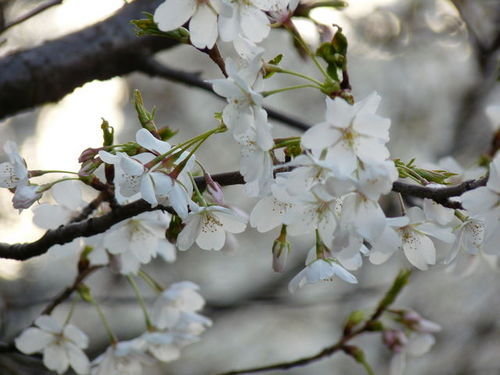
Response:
column 202, row 16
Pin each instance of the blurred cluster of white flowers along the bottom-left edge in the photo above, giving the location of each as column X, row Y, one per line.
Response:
column 175, row 324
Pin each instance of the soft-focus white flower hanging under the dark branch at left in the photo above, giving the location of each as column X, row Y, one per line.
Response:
column 139, row 239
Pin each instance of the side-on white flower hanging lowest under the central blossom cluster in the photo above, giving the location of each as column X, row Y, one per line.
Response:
column 320, row 270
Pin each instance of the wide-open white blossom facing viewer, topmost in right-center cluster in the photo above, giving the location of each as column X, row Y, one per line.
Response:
column 350, row 133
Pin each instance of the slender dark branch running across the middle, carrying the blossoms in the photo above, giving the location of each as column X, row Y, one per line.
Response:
column 93, row 226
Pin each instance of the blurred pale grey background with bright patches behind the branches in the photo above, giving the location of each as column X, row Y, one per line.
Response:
column 435, row 82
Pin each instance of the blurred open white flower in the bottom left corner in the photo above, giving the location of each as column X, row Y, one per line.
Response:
column 61, row 345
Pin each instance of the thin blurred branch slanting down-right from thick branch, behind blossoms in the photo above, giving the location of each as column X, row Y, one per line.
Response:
column 155, row 69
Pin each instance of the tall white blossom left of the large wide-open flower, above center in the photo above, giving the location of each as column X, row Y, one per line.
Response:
column 244, row 109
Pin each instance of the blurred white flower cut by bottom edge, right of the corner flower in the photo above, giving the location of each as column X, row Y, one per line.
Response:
column 123, row 358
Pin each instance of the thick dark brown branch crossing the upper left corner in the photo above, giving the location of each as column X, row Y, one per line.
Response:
column 105, row 50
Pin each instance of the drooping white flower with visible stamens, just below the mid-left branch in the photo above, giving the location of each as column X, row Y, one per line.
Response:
column 207, row 226
